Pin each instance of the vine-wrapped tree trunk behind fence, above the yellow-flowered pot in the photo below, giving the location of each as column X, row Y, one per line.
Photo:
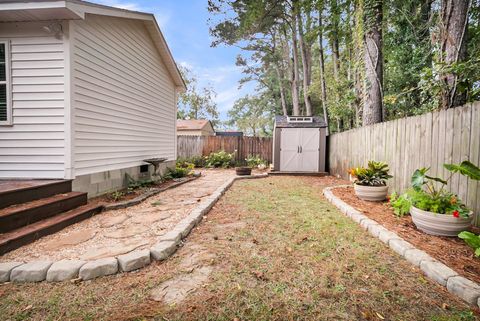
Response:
column 373, row 105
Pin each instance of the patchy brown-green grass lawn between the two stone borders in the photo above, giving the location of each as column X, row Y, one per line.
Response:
column 273, row 249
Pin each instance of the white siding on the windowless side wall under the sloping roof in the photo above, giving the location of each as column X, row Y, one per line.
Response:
column 123, row 96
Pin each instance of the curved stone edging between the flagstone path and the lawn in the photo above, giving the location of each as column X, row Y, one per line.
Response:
column 63, row 270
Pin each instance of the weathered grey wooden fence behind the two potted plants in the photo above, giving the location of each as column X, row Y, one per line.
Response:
column 429, row 140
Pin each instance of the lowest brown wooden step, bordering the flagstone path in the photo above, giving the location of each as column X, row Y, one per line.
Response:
column 27, row 234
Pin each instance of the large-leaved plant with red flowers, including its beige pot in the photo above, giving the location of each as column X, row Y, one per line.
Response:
column 436, row 211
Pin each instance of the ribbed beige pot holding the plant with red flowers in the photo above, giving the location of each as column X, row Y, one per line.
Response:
column 439, row 224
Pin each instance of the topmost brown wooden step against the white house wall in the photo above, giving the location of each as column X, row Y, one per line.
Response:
column 21, row 191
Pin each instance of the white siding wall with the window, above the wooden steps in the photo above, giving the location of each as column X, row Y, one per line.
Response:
column 33, row 146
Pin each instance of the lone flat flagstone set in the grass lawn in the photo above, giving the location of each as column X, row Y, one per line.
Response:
column 176, row 290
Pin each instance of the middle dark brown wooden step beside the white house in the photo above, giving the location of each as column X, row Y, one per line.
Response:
column 16, row 216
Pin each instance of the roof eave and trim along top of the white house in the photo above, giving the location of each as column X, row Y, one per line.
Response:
column 44, row 10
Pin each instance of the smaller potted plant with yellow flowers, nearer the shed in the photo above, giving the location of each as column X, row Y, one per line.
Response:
column 370, row 183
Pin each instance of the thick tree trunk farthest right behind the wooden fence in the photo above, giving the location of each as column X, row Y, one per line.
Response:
column 454, row 19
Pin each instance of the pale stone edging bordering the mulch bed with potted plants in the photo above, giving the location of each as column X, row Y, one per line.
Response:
column 460, row 286
